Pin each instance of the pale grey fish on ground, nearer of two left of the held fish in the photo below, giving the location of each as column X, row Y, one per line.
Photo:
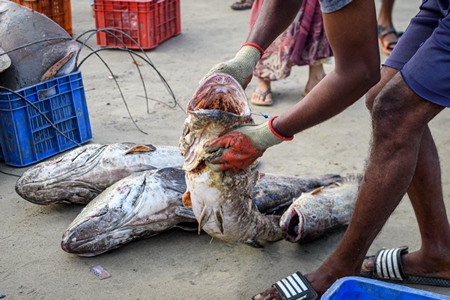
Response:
column 138, row 206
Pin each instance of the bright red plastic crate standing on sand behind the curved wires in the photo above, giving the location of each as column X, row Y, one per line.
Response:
column 148, row 22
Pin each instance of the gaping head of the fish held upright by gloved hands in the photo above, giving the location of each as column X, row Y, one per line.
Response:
column 218, row 104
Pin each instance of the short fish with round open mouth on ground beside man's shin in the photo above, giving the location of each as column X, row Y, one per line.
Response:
column 320, row 211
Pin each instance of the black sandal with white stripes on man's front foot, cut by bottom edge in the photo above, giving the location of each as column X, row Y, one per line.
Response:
column 293, row 287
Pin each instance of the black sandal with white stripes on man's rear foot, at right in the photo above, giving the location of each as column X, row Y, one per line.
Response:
column 388, row 267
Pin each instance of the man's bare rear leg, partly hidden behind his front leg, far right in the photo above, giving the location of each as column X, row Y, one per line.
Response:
column 425, row 193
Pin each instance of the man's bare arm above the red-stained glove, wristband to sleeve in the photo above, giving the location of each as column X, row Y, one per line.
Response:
column 352, row 34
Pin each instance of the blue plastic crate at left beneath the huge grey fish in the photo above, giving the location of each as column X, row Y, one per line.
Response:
column 26, row 136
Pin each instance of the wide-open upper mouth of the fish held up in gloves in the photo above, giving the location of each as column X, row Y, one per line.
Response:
column 222, row 92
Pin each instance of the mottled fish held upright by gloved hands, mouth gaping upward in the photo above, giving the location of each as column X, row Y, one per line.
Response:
column 221, row 201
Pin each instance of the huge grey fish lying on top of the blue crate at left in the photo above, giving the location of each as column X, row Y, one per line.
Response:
column 46, row 43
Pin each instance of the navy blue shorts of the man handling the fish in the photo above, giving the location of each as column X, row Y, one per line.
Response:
column 422, row 54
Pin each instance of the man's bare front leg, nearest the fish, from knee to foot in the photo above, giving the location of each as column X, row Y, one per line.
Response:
column 400, row 119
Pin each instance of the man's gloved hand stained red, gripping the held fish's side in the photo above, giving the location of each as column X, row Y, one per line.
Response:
column 237, row 149
